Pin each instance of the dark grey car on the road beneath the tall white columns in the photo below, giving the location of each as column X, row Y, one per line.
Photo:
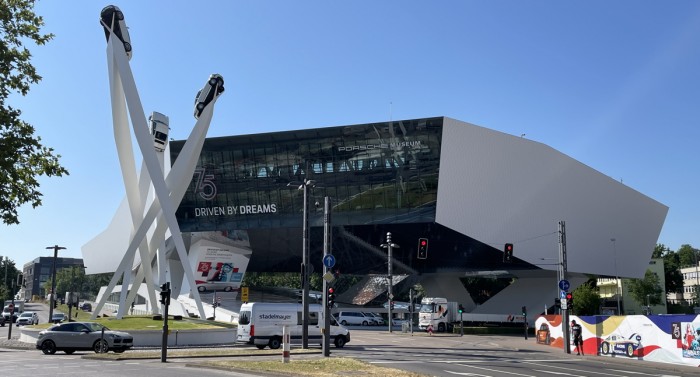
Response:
column 72, row 336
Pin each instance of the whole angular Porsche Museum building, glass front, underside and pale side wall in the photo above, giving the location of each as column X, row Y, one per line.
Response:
column 467, row 189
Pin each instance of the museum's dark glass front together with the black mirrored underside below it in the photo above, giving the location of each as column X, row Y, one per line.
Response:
column 381, row 177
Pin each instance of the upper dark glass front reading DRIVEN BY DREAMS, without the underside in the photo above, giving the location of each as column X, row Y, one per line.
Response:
column 375, row 173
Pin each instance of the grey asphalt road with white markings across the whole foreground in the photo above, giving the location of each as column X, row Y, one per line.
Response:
column 437, row 355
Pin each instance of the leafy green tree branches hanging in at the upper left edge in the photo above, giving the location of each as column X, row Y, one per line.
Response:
column 22, row 156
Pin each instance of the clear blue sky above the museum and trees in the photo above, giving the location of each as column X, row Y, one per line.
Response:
column 613, row 84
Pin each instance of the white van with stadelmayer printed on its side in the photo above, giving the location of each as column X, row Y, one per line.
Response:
column 261, row 324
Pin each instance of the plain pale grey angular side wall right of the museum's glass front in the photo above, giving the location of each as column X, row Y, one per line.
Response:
column 498, row 188
